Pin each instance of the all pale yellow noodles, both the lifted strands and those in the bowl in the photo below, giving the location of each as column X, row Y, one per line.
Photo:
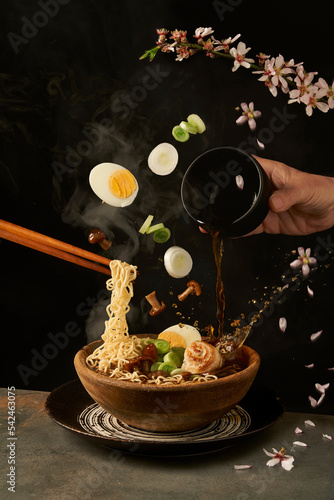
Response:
column 118, row 347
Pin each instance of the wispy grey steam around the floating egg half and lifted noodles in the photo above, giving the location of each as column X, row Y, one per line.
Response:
column 158, row 195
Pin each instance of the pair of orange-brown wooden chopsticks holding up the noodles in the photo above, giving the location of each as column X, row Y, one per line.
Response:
column 51, row 246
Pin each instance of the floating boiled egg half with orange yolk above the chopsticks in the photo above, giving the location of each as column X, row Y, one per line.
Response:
column 113, row 184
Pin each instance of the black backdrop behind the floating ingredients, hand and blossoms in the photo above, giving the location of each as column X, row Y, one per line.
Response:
column 73, row 95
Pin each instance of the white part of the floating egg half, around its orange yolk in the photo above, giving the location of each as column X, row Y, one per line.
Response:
column 98, row 180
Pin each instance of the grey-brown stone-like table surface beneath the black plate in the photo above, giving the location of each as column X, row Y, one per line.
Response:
column 54, row 463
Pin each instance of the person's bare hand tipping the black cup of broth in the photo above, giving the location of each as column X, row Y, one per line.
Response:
column 301, row 203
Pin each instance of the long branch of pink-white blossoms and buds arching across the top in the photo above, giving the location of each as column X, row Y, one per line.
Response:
column 276, row 73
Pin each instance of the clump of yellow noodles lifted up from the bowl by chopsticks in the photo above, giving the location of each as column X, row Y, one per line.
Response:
column 118, row 346
